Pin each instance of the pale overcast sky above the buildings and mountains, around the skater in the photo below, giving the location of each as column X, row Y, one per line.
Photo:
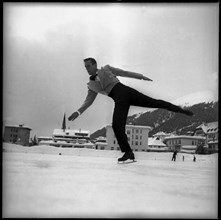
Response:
column 44, row 77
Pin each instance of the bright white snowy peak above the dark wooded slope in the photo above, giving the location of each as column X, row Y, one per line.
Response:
column 195, row 98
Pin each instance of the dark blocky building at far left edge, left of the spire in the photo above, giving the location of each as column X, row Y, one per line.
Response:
column 17, row 134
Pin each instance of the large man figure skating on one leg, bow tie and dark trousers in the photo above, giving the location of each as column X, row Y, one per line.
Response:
column 105, row 81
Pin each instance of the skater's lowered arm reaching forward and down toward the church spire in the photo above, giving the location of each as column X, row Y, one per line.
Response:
column 87, row 103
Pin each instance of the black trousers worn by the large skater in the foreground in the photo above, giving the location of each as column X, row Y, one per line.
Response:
column 125, row 96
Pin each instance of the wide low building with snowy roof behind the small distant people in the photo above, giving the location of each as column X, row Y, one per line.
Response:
column 176, row 142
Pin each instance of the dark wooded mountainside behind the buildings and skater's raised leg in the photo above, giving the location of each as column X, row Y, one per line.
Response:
column 166, row 121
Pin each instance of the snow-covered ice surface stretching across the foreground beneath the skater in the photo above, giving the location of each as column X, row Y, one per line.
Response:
column 44, row 181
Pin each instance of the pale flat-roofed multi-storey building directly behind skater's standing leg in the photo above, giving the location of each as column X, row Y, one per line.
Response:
column 137, row 137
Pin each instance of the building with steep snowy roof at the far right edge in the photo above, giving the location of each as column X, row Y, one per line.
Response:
column 210, row 132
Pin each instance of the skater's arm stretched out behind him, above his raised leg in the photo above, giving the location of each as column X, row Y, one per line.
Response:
column 123, row 73
